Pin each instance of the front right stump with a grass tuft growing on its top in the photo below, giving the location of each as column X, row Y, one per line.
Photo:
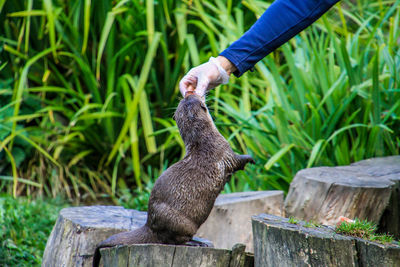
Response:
column 280, row 243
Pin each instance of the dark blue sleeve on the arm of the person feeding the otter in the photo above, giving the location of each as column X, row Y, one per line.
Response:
column 280, row 22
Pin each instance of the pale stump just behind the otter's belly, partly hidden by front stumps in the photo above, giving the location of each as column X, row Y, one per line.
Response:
column 230, row 219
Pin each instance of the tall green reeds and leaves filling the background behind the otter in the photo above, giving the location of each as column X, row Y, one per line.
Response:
column 88, row 90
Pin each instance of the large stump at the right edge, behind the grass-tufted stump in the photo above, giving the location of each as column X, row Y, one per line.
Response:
column 364, row 190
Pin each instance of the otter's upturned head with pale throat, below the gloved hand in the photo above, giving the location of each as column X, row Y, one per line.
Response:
column 193, row 119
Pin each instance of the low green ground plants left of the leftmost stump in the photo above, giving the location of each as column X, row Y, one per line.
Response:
column 24, row 228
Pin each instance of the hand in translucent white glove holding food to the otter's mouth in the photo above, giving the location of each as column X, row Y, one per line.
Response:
column 207, row 76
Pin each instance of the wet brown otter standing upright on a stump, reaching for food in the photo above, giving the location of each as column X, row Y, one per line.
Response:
column 184, row 194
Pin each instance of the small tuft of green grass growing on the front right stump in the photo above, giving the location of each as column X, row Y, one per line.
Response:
column 363, row 229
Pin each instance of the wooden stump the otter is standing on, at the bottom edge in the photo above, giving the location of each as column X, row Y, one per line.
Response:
column 155, row 255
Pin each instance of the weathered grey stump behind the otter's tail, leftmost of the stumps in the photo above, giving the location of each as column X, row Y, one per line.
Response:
column 78, row 230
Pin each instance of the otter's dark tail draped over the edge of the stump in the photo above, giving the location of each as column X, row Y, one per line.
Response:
column 142, row 235
